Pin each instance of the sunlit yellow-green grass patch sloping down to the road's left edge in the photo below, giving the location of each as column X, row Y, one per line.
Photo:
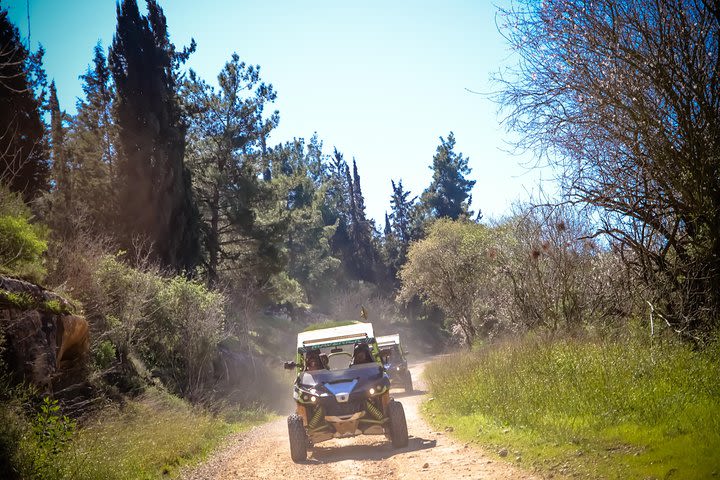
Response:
column 149, row 438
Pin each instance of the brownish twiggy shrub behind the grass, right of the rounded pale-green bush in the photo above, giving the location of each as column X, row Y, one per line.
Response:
column 559, row 278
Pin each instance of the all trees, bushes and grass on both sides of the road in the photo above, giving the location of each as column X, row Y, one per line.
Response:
column 195, row 251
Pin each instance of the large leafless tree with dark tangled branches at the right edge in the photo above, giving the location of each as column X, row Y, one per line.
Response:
column 624, row 97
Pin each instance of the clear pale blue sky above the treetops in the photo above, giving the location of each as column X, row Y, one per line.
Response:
column 379, row 80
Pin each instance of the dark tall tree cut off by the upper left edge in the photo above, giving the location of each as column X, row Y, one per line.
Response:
column 23, row 163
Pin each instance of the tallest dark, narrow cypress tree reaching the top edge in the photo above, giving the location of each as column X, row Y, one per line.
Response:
column 156, row 202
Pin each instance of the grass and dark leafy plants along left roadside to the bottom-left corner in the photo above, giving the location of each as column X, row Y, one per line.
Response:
column 150, row 437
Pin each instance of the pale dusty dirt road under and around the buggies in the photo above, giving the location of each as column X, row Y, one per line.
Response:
column 264, row 452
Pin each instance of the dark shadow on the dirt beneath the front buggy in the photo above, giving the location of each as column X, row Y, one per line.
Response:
column 374, row 452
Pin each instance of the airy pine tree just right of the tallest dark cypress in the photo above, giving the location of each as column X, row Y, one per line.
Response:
column 227, row 132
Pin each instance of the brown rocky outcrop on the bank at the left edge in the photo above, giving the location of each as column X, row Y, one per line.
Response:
column 44, row 342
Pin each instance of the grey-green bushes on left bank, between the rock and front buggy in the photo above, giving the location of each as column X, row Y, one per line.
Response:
column 172, row 325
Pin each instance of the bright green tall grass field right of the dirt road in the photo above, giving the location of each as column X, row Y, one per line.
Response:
column 613, row 410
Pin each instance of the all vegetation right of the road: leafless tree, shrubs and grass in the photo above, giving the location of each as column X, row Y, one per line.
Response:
column 591, row 322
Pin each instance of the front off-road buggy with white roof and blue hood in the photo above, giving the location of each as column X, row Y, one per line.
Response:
column 341, row 390
